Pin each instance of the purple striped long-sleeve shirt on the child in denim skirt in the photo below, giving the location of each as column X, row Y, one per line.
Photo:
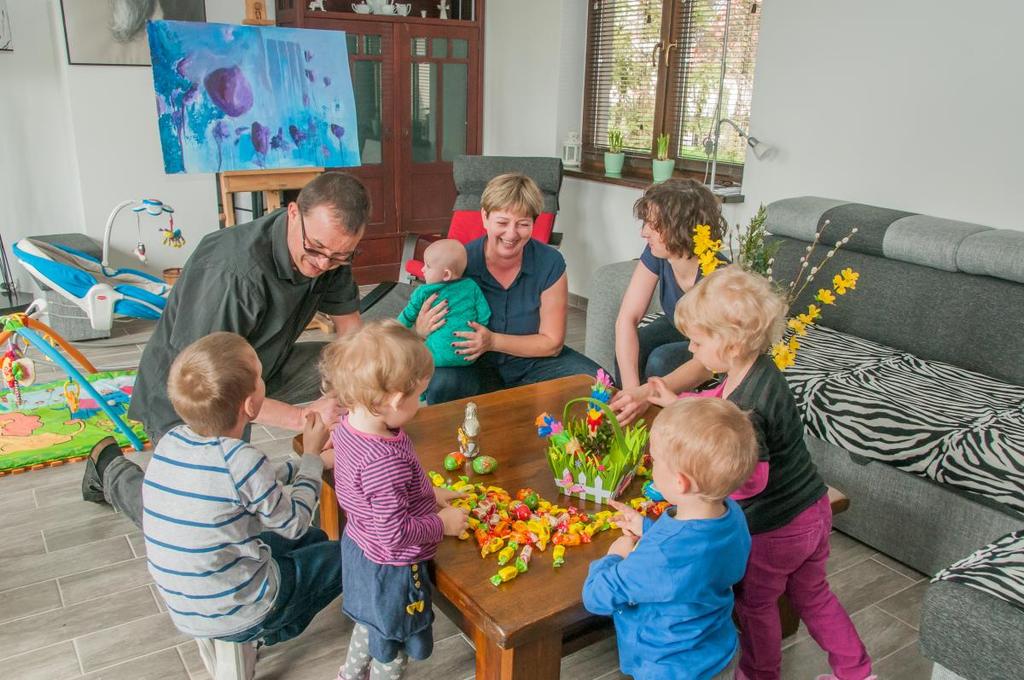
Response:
column 389, row 501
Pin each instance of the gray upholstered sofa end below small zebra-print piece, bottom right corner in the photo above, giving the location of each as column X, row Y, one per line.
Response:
column 975, row 635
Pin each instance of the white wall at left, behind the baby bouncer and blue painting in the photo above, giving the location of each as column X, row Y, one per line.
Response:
column 82, row 139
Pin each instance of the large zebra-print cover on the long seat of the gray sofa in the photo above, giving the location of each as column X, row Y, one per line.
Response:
column 932, row 419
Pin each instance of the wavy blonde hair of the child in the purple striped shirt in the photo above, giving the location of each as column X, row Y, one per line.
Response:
column 366, row 367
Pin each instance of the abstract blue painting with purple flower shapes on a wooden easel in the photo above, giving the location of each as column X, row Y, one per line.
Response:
column 247, row 98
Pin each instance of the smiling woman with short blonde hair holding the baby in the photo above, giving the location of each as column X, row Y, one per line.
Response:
column 526, row 285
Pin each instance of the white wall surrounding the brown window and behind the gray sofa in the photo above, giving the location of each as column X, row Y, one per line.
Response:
column 907, row 105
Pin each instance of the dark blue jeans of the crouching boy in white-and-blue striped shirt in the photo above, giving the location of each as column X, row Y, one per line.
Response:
column 311, row 580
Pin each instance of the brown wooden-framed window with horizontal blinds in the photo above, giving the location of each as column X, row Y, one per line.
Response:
column 655, row 66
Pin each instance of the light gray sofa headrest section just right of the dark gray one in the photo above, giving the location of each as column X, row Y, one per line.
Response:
column 929, row 241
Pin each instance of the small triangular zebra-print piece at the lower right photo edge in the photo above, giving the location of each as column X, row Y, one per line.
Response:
column 997, row 570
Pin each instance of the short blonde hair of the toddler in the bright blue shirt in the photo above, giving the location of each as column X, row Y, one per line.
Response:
column 710, row 441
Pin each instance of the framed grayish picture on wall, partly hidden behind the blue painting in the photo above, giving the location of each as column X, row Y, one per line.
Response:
column 113, row 32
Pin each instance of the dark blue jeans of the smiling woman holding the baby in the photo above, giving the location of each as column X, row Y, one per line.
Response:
column 493, row 372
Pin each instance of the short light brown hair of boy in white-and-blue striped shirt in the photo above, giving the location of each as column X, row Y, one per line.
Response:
column 210, row 380
